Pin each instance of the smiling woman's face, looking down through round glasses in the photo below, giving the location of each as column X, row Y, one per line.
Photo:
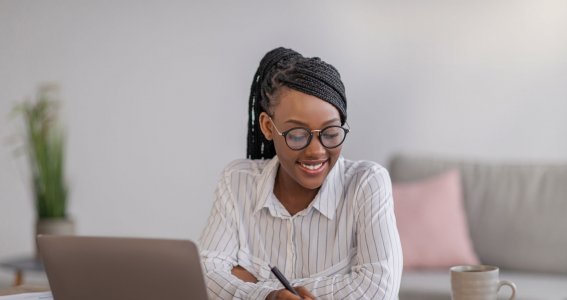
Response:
column 307, row 167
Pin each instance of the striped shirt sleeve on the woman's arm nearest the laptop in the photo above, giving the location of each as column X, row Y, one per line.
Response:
column 219, row 247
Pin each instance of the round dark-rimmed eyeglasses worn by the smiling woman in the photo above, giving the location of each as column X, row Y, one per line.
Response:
column 298, row 138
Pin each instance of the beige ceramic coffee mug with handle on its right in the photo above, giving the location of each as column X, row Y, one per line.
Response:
column 476, row 282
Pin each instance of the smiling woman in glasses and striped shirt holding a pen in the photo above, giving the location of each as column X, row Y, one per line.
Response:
column 326, row 222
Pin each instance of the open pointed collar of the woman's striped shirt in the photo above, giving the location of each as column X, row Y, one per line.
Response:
column 326, row 200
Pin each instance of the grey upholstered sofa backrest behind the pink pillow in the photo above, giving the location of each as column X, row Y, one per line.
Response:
column 516, row 212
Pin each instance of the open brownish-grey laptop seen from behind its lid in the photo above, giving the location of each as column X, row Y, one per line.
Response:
column 117, row 268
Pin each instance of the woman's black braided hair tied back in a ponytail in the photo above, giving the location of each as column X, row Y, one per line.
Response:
column 285, row 67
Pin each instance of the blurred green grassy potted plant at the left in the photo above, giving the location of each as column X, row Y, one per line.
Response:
column 45, row 148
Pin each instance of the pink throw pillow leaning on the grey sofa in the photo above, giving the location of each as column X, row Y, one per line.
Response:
column 432, row 222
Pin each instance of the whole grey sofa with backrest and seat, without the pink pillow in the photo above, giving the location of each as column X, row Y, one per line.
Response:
column 517, row 217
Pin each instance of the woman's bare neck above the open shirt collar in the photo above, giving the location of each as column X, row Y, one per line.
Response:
column 291, row 195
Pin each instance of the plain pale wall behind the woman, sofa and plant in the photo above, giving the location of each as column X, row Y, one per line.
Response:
column 155, row 92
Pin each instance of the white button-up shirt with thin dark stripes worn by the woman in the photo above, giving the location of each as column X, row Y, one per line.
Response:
column 344, row 245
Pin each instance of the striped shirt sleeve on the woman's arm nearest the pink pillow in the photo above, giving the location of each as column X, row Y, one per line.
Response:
column 378, row 260
